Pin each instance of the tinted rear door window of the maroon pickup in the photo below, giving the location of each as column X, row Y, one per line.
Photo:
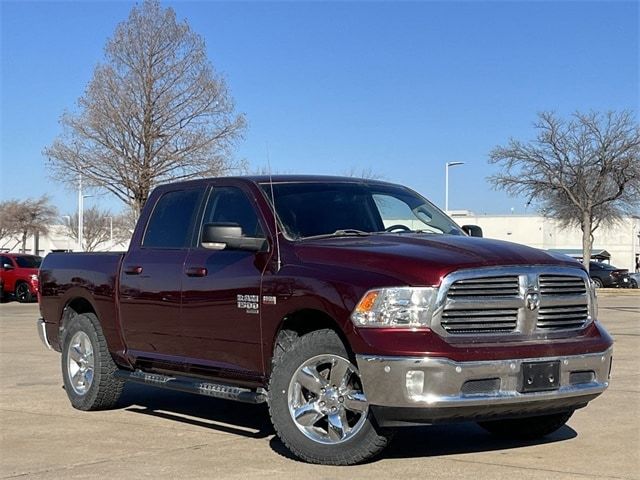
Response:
column 171, row 220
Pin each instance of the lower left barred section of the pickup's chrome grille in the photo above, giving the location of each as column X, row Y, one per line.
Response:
column 480, row 321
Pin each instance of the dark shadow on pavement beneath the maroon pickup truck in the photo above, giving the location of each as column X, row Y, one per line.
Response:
column 252, row 421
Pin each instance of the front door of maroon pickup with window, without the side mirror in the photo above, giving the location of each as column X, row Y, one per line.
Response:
column 221, row 292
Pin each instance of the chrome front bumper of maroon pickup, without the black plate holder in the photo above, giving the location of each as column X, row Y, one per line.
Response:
column 406, row 390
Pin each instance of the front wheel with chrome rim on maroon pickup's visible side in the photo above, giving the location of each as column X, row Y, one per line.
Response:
column 311, row 360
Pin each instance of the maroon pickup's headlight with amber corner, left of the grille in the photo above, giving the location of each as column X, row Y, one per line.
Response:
column 395, row 307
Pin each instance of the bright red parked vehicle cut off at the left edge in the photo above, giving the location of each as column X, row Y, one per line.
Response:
column 19, row 274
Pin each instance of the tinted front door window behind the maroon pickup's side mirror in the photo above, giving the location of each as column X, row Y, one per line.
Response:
column 231, row 205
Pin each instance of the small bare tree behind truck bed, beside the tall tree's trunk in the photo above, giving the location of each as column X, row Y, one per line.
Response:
column 99, row 228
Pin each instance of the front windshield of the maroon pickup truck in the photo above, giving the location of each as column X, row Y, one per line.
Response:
column 312, row 209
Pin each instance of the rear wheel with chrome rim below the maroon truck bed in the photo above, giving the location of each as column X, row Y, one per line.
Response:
column 87, row 366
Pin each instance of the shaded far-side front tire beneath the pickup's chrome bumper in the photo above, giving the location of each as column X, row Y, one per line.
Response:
column 528, row 428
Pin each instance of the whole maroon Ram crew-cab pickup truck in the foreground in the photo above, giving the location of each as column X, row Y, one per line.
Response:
column 350, row 306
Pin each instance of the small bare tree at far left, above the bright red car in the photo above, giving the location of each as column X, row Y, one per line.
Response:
column 29, row 217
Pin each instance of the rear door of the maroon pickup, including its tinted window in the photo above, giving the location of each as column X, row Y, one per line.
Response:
column 151, row 279
